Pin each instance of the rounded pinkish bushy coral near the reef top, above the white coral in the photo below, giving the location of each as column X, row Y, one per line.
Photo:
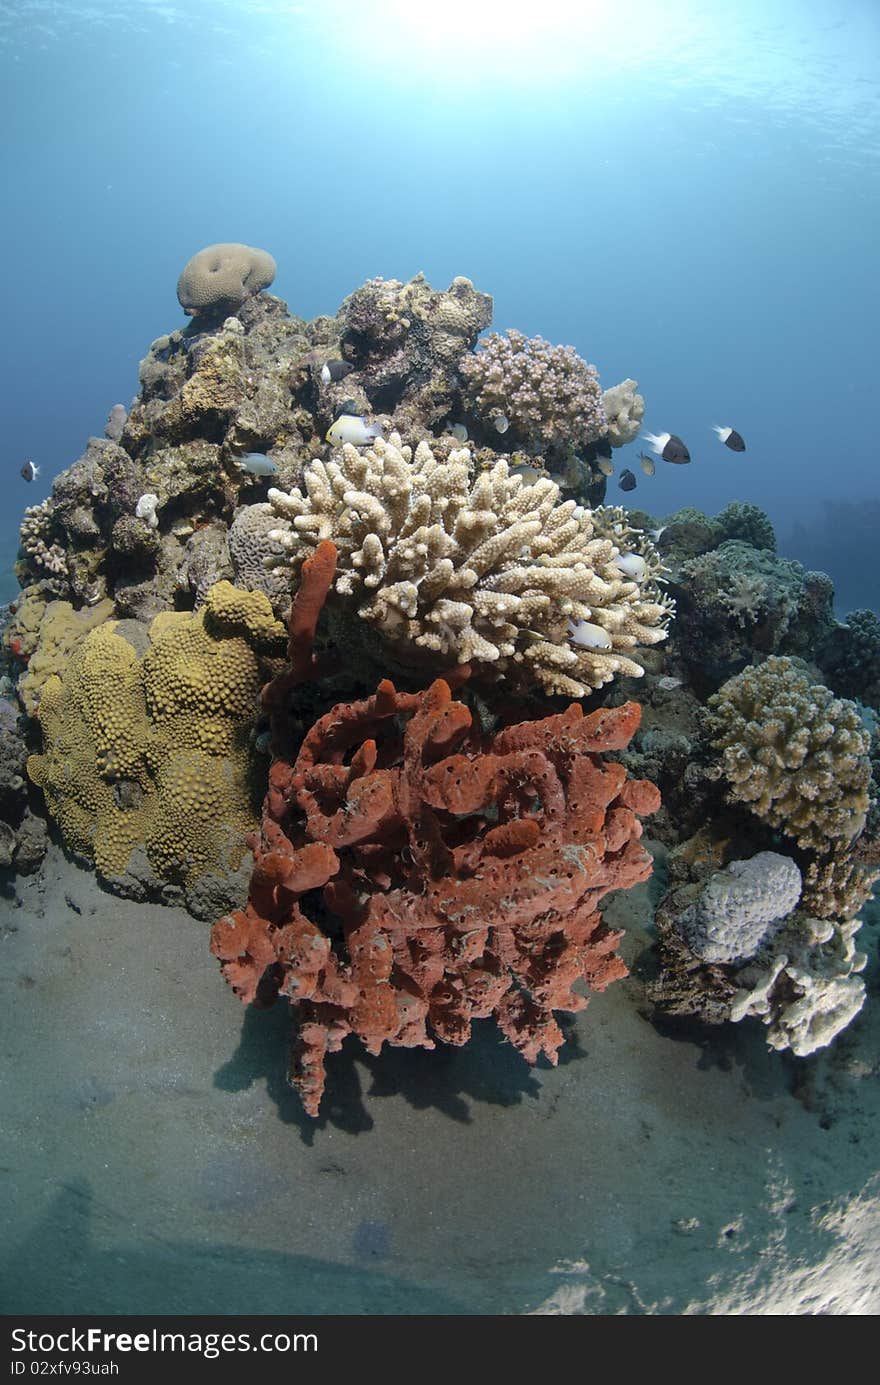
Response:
column 549, row 397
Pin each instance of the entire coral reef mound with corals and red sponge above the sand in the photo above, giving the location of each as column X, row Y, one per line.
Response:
column 156, row 577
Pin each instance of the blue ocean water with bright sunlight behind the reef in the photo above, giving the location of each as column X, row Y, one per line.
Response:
column 685, row 193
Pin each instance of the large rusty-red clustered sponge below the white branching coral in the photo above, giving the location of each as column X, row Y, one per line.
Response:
column 457, row 877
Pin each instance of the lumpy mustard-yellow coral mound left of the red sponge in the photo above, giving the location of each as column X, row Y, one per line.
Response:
column 155, row 751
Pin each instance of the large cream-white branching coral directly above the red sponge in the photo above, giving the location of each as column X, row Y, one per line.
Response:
column 483, row 570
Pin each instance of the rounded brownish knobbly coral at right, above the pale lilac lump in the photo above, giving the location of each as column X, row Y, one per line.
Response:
column 793, row 754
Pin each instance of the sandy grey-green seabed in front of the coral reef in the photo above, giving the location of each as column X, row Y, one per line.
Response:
column 155, row 1160
